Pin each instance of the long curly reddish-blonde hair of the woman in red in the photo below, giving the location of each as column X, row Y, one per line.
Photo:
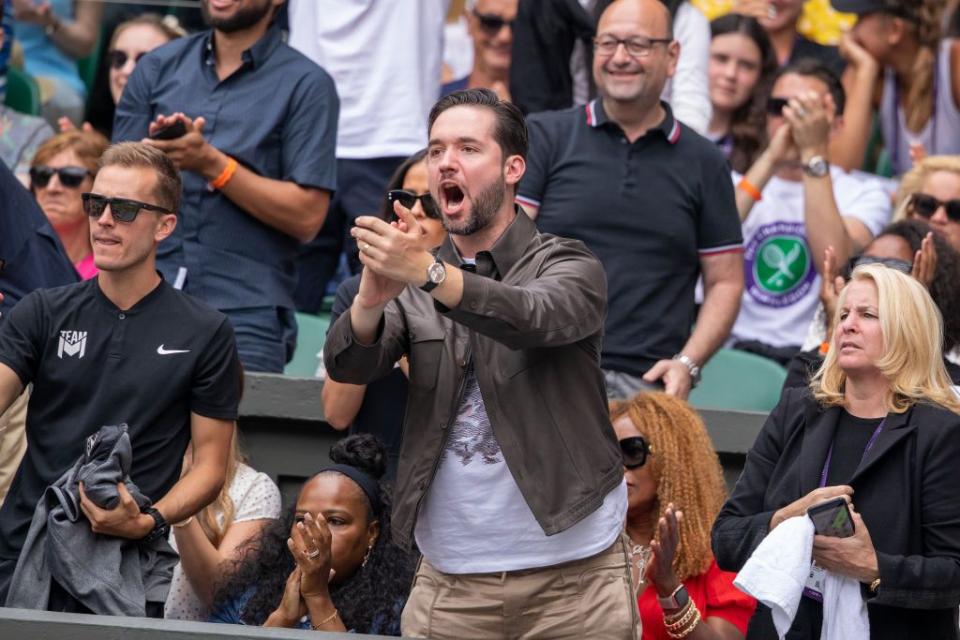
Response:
column 686, row 468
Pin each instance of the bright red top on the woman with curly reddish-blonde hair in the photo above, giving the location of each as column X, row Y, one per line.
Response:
column 713, row 593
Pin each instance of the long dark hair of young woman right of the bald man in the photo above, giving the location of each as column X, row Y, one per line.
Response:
column 748, row 124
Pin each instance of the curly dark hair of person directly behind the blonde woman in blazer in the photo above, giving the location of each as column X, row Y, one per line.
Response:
column 943, row 289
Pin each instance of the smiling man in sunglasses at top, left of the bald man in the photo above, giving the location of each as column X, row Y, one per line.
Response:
column 490, row 24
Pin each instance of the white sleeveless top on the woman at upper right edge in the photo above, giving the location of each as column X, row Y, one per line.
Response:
column 940, row 136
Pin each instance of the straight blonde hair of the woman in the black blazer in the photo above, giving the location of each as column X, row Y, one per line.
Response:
column 912, row 331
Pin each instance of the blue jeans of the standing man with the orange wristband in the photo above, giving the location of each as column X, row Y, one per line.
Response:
column 266, row 337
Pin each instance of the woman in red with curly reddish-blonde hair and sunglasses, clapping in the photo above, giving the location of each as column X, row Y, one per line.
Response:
column 675, row 490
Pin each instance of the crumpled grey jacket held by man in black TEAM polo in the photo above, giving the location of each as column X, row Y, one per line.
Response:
column 109, row 575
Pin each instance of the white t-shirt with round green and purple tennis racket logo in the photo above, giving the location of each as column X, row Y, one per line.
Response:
column 782, row 285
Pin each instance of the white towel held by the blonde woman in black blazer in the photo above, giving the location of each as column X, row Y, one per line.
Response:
column 777, row 571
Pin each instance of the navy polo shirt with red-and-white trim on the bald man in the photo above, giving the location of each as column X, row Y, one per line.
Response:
column 649, row 210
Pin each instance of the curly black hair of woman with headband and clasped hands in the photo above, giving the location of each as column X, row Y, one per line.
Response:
column 371, row 594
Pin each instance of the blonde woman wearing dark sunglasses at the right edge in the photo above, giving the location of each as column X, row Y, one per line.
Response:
column 931, row 191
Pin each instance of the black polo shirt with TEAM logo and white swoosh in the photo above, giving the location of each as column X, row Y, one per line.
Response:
column 92, row 364
